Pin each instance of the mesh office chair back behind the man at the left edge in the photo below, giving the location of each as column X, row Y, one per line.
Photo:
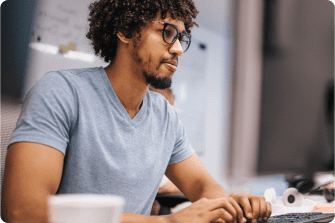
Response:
column 9, row 113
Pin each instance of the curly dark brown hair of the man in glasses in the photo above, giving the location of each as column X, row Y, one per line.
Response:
column 108, row 17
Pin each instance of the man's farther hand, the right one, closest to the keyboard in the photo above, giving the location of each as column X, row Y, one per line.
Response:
column 255, row 207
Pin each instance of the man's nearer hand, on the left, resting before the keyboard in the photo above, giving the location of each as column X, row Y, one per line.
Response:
column 209, row 210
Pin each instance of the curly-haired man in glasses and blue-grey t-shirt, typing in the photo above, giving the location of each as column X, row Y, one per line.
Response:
column 99, row 130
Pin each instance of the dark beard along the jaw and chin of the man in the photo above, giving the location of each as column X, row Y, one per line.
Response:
column 151, row 78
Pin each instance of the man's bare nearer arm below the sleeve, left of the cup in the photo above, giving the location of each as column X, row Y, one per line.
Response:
column 32, row 173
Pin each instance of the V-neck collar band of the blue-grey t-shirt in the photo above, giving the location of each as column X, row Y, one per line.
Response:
column 137, row 120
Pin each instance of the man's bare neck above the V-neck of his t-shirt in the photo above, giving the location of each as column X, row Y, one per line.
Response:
column 129, row 88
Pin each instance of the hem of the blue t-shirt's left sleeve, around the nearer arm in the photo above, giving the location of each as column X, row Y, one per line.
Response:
column 60, row 146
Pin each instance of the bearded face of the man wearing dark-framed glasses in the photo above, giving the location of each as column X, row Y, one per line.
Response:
column 157, row 59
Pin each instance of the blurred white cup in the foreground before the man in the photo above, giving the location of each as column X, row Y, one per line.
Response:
column 93, row 208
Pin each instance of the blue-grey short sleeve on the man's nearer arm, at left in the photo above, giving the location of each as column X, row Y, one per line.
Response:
column 48, row 113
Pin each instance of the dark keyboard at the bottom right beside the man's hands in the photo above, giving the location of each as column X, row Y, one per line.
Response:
column 302, row 217
